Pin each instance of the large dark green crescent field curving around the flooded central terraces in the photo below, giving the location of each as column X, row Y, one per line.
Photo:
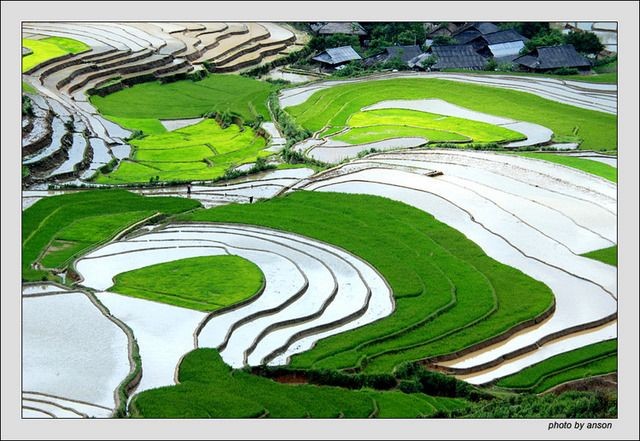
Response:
column 449, row 294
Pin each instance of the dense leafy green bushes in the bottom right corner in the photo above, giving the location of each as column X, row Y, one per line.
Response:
column 566, row 405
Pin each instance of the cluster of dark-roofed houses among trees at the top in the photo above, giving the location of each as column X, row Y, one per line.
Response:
column 474, row 45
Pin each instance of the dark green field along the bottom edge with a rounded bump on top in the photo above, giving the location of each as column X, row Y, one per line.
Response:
column 210, row 389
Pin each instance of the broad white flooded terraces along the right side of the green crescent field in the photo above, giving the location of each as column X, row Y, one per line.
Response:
column 477, row 175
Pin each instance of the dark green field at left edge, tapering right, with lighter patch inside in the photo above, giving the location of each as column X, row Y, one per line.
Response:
column 57, row 228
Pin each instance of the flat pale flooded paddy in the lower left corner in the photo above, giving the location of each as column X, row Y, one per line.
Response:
column 74, row 356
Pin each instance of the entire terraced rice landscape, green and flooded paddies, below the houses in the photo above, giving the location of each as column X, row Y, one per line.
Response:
column 496, row 269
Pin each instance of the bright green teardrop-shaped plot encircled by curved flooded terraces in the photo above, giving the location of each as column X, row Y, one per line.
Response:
column 202, row 283
